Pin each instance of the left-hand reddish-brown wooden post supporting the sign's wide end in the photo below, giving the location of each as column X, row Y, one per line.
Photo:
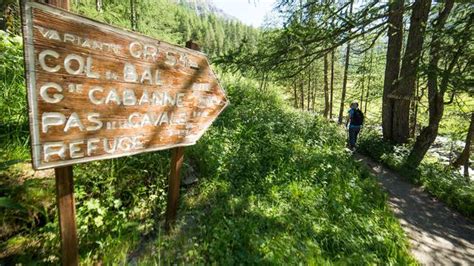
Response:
column 65, row 198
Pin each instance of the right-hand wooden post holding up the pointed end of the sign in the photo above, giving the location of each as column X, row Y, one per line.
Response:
column 177, row 157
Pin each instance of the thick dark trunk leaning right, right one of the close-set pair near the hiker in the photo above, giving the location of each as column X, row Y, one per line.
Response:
column 405, row 88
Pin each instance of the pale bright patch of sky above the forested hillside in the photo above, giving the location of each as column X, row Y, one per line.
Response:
column 250, row 12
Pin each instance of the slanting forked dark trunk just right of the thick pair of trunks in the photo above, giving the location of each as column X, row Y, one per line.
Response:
column 435, row 92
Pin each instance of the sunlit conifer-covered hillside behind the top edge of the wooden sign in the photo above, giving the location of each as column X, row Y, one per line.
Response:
column 176, row 23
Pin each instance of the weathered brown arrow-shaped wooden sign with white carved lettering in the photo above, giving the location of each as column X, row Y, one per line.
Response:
column 97, row 91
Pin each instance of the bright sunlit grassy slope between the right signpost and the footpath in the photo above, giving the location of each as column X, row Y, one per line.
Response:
column 279, row 189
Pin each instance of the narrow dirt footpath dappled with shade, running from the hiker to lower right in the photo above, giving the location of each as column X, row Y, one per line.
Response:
column 437, row 234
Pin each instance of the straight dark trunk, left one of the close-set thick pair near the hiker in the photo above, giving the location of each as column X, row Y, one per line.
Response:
column 392, row 65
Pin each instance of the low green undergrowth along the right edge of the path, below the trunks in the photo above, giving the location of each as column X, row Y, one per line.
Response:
column 437, row 179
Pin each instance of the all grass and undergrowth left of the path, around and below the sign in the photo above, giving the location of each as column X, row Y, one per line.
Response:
column 276, row 187
